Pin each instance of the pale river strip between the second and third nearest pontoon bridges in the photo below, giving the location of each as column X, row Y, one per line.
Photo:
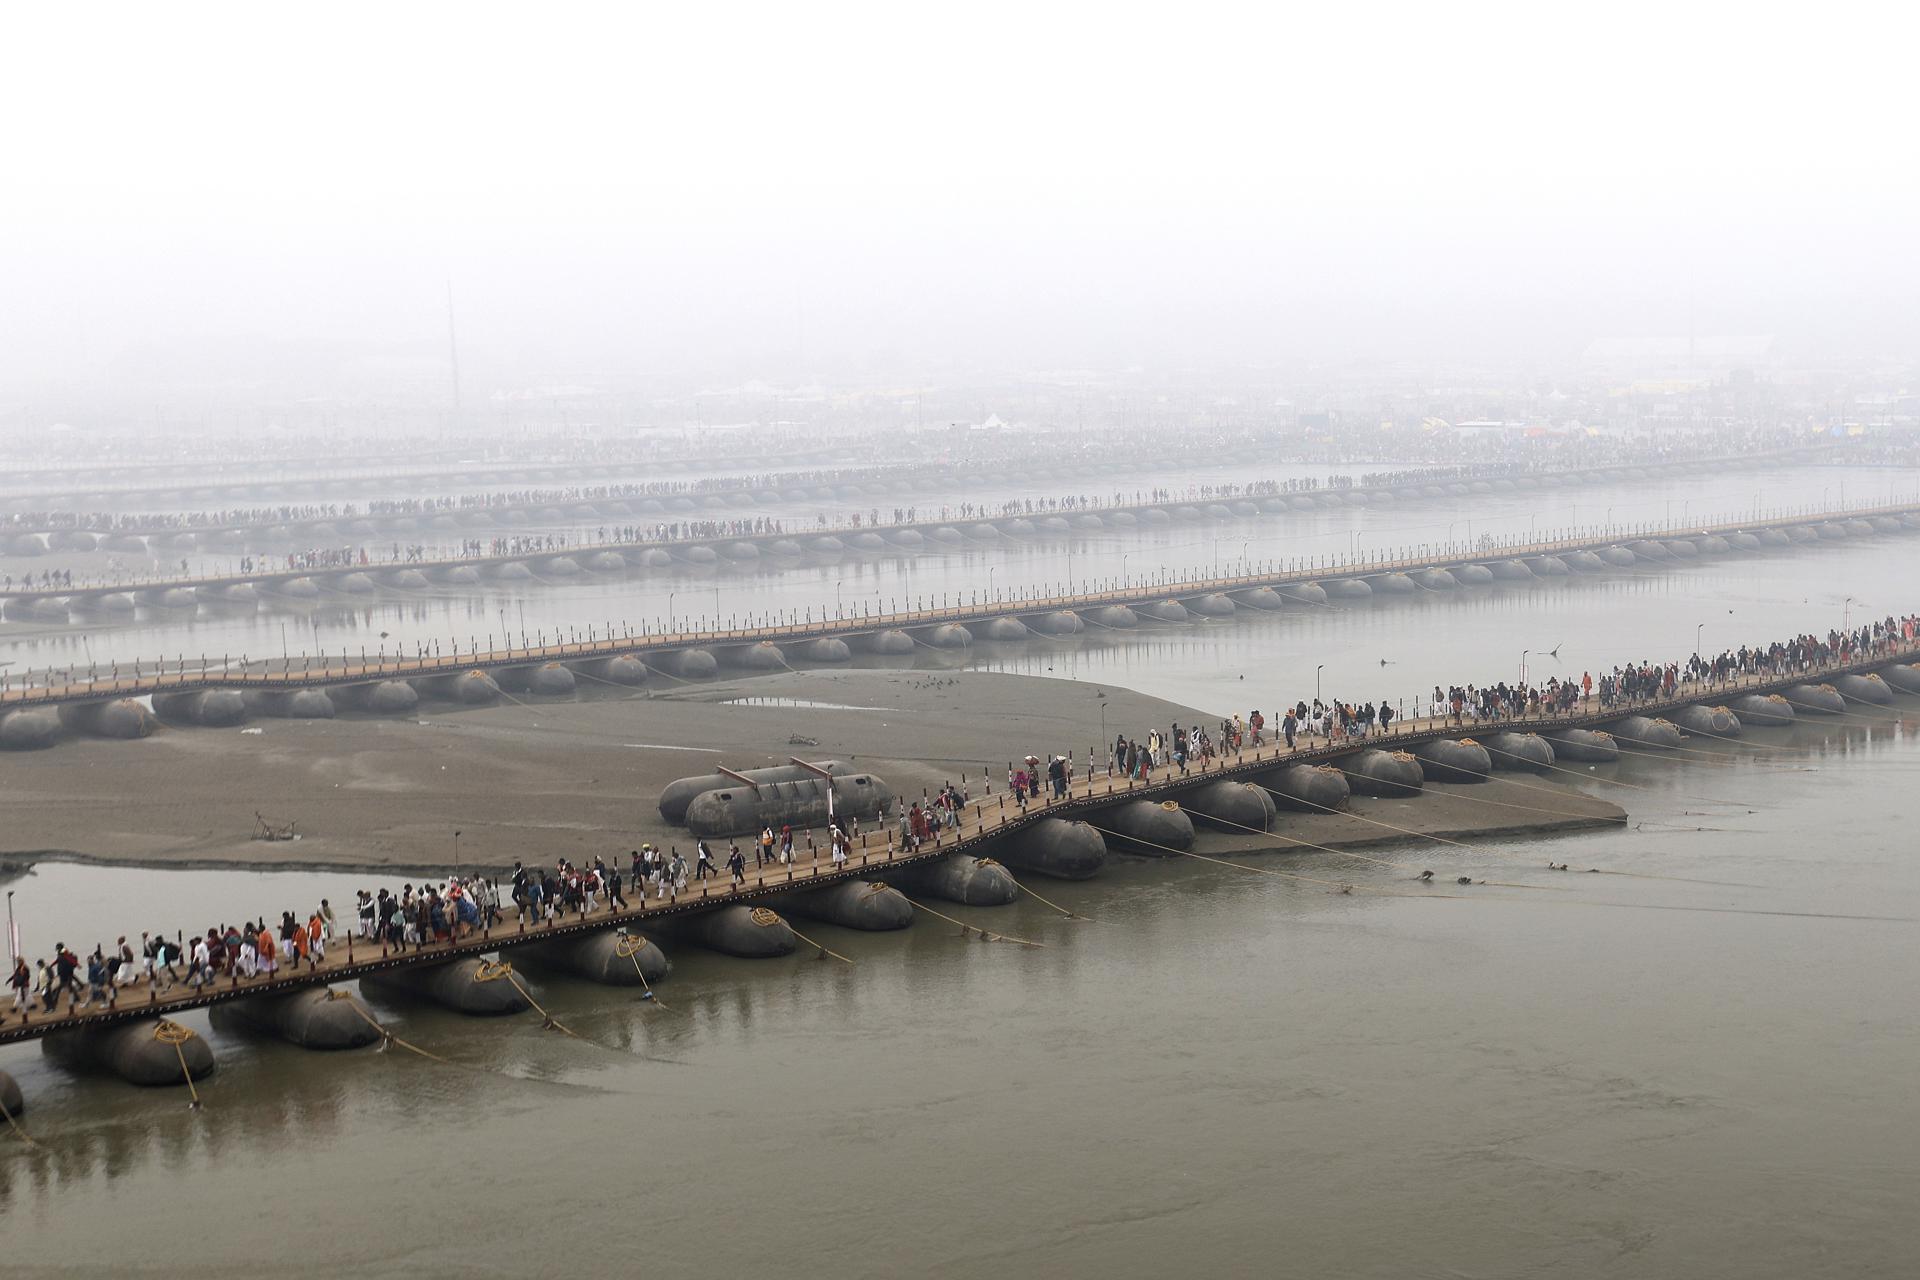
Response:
column 694, row 596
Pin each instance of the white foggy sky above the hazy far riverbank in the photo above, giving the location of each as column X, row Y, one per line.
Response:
column 775, row 191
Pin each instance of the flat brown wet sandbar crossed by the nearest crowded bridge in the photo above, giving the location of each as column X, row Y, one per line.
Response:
column 581, row 778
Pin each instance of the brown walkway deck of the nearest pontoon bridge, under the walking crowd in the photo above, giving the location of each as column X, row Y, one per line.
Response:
column 986, row 820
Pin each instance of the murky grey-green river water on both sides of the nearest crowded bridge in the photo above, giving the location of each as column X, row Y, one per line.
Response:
column 1694, row 1064
